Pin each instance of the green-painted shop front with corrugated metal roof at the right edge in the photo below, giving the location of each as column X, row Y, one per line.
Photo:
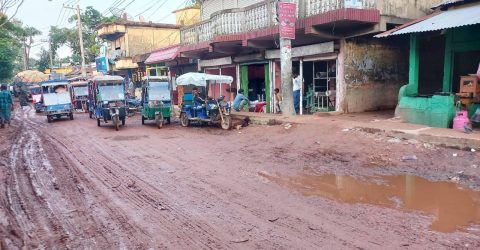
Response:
column 442, row 53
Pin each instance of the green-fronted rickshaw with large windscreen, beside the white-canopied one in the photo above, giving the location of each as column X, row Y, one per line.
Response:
column 156, row 100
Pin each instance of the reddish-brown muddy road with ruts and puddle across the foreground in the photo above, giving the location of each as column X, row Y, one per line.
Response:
column 71, row 184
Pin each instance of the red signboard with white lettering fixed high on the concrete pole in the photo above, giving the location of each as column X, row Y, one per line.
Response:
column 287, row 16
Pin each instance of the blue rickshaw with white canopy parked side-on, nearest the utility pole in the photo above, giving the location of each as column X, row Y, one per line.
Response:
column 213, row 111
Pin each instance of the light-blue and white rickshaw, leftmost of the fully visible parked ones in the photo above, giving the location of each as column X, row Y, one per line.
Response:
column 56, row 100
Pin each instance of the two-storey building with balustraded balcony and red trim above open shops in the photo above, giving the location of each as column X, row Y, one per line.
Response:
column 343, row 66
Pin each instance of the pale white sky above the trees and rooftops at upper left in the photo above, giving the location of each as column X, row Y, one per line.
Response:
column 42, row 14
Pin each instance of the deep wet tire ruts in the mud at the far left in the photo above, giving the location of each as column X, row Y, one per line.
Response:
column 47, row 217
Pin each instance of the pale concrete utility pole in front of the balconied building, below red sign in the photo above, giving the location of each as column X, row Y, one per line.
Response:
column 286, row 70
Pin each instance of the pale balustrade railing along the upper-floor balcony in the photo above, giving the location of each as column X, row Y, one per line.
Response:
column 258, row 16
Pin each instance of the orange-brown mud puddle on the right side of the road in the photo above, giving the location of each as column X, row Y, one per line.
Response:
column 453, row 207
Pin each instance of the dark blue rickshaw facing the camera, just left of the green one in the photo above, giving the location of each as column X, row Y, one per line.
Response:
column 107, row 96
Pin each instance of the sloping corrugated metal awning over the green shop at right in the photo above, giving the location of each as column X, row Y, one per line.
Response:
column 452, row 18
